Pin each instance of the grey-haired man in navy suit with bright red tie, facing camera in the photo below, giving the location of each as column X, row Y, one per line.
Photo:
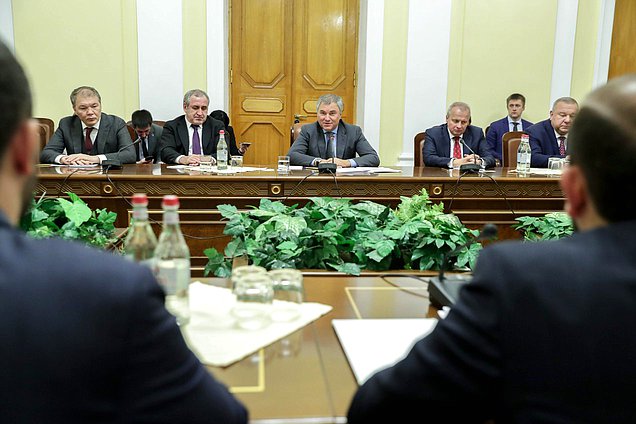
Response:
column 456, row 142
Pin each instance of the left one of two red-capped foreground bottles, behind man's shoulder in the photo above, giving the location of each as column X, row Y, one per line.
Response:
column 141, row 241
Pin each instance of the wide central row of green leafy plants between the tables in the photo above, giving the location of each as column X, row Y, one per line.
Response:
column 340, row 235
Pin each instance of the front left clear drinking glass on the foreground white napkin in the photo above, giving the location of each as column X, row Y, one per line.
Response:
column 254, row 296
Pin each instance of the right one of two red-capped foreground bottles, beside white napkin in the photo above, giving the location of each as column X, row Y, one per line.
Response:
column 172, row 257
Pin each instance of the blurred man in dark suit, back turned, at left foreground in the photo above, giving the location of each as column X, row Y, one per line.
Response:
column 85, row 335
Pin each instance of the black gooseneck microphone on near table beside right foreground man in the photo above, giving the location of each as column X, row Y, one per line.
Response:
column 444, row 291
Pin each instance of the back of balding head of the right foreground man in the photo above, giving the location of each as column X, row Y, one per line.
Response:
column 602, row 141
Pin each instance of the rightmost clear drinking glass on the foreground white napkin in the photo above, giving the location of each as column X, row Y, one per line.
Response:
column 288, row 294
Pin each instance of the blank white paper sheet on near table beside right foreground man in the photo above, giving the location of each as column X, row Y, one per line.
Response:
column 374, row 344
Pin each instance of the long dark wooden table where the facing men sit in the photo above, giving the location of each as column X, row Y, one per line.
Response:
column 494, row 197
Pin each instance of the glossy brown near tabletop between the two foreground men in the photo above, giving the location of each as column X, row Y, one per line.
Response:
column 306, row 377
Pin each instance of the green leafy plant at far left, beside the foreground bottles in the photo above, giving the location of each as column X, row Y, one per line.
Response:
column 70, row 219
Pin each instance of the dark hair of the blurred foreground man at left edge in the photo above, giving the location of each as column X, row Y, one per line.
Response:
column 15, row 97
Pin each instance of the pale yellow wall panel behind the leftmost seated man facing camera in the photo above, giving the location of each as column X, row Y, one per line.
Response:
column 65, row 44
